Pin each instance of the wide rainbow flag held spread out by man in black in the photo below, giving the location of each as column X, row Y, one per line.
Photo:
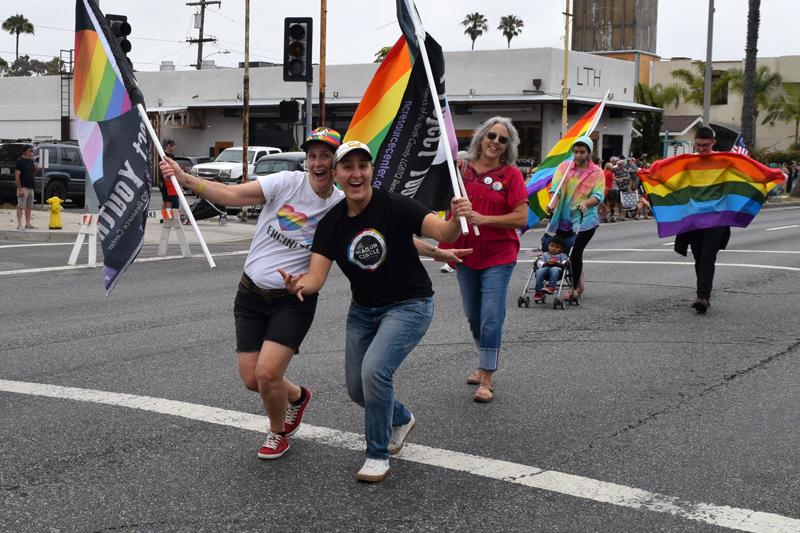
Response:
column 689, row 192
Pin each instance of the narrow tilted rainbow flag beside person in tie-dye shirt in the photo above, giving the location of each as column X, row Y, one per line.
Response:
column 538, row 184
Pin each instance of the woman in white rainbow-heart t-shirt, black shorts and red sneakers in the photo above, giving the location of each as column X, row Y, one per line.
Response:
column 271, row 323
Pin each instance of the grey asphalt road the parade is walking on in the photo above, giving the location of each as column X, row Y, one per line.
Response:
column 640, row 414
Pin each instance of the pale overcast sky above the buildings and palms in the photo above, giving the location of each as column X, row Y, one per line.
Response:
column 358, row 28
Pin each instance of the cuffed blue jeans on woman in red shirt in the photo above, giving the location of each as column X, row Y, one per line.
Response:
column 483, row 294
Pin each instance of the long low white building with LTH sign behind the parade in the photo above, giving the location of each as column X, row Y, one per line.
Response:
column 201, row 110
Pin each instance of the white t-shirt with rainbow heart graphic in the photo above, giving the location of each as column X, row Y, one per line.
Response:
column 286, row 227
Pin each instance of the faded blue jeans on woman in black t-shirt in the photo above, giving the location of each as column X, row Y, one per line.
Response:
column 378, row 341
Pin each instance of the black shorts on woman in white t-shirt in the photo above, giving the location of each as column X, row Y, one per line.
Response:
column 283, row 320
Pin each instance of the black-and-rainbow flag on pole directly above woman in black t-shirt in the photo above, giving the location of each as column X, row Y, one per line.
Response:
column 397, row 119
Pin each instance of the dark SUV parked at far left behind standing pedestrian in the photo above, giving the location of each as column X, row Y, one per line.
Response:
column 65, row 176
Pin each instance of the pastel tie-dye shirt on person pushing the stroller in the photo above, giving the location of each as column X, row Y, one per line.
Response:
column 581, row 185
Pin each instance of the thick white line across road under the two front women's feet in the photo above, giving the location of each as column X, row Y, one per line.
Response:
column 519, row 474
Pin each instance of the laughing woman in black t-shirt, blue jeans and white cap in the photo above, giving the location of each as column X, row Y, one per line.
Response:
column 371, row 237
